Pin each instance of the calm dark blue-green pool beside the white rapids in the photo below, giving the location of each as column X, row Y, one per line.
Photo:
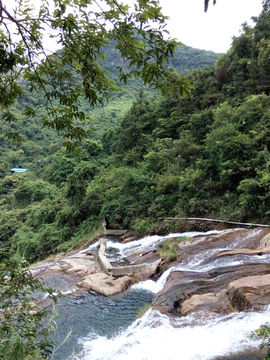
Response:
column 94, row 316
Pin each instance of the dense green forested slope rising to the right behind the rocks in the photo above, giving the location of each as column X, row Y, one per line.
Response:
column 203, row 155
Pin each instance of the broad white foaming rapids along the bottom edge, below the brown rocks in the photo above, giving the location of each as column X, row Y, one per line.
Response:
column 157, row 337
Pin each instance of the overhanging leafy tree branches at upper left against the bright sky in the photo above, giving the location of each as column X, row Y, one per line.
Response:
column 81, row 29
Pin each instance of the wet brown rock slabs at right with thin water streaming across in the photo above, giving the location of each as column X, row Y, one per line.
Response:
column 219, row 273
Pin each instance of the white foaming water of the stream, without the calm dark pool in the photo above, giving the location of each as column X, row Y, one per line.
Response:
column 195, row 337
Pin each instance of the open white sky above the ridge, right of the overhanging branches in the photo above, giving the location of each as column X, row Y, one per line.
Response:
column 213, row 30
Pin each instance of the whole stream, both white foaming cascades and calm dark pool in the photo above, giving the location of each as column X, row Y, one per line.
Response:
column 108, row 329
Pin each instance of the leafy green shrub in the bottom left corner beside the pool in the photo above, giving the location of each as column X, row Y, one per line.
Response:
column 24, row 327
